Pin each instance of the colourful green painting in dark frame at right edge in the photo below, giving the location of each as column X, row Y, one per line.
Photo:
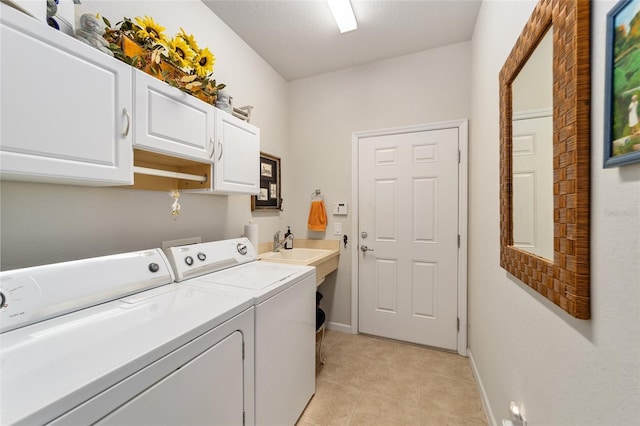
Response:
column 622, row 85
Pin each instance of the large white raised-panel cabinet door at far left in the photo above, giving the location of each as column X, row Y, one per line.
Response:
column 64, row 107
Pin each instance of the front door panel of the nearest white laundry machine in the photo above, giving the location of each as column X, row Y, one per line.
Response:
column 206, row 390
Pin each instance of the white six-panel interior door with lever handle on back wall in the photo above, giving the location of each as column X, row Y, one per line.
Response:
column 408, row 220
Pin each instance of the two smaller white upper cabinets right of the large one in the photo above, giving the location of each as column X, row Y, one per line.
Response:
column 173, row 123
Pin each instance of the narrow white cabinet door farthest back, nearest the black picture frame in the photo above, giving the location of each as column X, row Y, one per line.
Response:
column 237, row 155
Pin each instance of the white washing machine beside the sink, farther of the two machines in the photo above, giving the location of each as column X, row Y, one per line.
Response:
column 285, row 302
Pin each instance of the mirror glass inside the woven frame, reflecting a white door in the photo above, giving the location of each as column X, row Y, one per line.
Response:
column 532, row 97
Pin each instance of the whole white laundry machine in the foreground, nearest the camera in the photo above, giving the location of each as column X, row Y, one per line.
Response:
column 112, row 340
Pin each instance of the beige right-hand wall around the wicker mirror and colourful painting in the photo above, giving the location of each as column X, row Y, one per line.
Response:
column 563, row 371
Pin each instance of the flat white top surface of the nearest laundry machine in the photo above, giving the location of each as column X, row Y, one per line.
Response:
column 52, row 366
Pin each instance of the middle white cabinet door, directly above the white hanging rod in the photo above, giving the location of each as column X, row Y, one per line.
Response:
column 170, row 121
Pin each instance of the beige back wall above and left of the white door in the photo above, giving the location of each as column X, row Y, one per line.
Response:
column 425, row 87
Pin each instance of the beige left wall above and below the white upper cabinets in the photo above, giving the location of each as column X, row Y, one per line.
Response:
column 51, row 223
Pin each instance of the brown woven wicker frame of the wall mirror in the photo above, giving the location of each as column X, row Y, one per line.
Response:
column 564, row 279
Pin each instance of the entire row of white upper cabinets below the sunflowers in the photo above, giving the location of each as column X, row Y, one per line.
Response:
column 71, row 114
